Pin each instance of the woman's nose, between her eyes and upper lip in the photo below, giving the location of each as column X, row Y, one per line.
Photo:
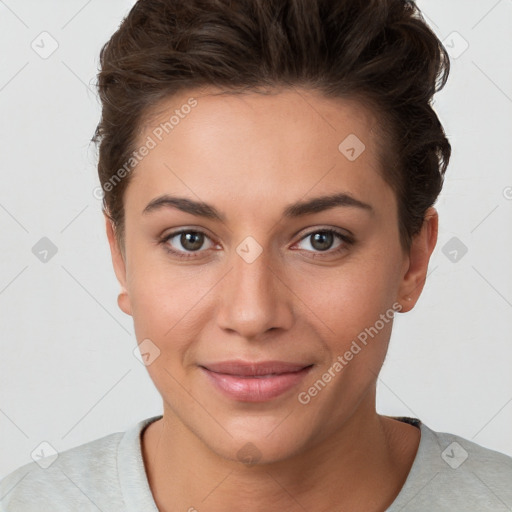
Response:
column 254, row 299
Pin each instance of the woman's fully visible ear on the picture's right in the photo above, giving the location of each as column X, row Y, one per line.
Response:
column 415, row 272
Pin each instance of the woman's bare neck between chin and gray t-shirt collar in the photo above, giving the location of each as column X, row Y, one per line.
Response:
column 361, row 466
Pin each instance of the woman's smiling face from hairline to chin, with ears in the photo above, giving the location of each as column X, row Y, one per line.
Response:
column 260, row 279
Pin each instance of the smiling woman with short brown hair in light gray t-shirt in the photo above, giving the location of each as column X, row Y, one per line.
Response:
column 269, row 171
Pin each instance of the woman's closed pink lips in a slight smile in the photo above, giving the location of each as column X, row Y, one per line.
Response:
column 255, row 381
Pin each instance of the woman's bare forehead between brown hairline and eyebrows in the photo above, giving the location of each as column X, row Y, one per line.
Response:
column 253, row 146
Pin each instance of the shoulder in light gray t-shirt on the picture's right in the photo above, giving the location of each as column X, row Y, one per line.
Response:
column 454, row 473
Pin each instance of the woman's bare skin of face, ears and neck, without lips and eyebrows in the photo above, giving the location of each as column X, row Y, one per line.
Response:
column 250, row 156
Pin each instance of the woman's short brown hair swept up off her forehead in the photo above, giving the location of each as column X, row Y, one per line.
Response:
column 380, row 52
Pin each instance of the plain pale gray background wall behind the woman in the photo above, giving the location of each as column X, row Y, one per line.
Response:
column 67, row 371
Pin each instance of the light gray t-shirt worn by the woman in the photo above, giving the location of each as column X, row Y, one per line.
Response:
column 449, row 473
